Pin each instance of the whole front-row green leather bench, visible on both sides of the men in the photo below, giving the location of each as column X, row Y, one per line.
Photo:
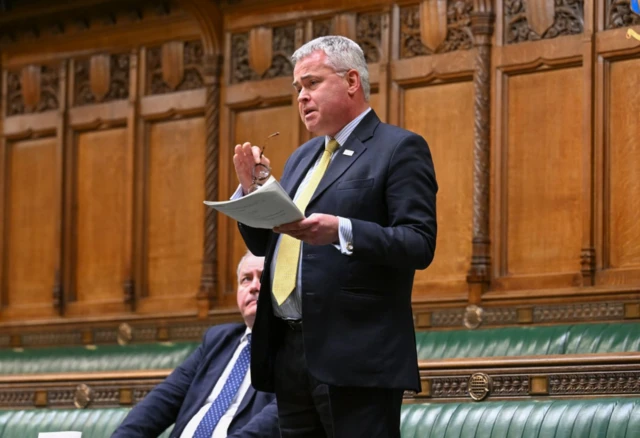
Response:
column 575, row 418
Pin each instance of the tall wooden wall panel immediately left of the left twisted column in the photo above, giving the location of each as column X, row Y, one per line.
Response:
column 172, row 150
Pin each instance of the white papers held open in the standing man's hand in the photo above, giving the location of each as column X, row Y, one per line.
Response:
column 267, row 207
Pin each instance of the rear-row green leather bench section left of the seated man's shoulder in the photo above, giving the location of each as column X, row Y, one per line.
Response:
column 95, row 358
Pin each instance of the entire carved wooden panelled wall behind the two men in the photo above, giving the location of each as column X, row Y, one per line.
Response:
column 119, row 119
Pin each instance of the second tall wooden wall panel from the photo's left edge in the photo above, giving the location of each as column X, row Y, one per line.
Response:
column 99, row 195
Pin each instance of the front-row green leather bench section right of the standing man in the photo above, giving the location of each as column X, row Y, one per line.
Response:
column 575, row 418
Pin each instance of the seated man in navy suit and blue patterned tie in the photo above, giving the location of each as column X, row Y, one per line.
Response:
column 210, row 394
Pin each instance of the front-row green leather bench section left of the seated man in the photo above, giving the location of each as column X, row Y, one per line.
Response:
column 93, row 423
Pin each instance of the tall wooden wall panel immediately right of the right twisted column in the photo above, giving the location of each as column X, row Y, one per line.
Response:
column 538, row 192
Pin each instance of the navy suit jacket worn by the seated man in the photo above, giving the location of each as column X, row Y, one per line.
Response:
column 185, row 391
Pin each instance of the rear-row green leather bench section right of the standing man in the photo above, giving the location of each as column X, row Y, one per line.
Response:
column 529, row 341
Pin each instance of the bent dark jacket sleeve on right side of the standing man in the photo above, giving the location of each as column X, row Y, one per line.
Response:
column 409, row 239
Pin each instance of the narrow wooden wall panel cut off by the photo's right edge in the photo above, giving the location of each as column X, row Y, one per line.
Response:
column 616, row 149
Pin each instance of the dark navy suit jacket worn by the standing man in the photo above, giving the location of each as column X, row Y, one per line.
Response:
column 357, row 318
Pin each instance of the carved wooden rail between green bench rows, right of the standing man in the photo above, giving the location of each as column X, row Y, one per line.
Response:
column 509, row 378
